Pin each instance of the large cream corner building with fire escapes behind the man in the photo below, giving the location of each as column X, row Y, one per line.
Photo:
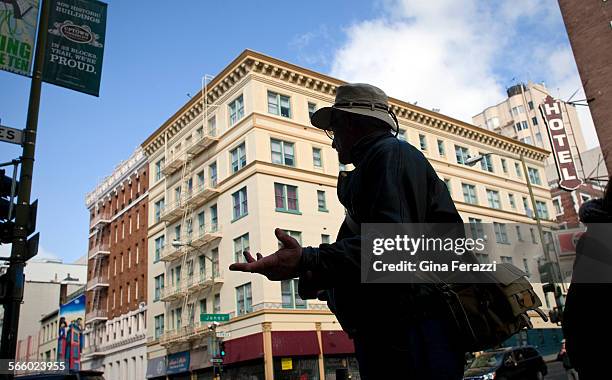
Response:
column 241, row 159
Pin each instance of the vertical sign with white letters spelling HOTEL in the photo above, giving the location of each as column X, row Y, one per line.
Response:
column 566, row 168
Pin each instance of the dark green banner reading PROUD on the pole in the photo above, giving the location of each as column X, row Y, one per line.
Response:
column 75, row 45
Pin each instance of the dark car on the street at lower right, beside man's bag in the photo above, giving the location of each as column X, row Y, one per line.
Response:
column 507, row 364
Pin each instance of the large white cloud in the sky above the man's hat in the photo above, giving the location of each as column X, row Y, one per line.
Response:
column 458, row 56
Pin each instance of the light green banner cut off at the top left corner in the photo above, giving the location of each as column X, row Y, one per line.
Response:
column 18, row 19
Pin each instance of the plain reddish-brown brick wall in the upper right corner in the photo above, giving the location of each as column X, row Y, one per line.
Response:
column 590, row 32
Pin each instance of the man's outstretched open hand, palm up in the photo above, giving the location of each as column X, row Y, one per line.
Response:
column 281, row 265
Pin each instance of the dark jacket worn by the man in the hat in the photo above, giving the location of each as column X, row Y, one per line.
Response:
column 392, row 183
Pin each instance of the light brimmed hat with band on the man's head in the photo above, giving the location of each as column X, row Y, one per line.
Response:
column 358, row 98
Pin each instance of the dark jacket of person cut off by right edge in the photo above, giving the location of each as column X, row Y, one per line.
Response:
column 586, row 311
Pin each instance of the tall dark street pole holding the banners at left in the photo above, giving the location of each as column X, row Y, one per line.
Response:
column 19, row 251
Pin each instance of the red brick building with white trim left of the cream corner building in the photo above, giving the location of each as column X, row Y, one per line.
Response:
column 117, row 271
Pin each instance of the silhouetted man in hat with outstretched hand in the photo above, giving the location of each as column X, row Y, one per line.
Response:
column 399, row 330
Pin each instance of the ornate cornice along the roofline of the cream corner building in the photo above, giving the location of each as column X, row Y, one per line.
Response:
column 250, row 61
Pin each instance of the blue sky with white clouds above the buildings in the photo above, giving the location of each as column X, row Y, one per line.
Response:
column 457, row 56
